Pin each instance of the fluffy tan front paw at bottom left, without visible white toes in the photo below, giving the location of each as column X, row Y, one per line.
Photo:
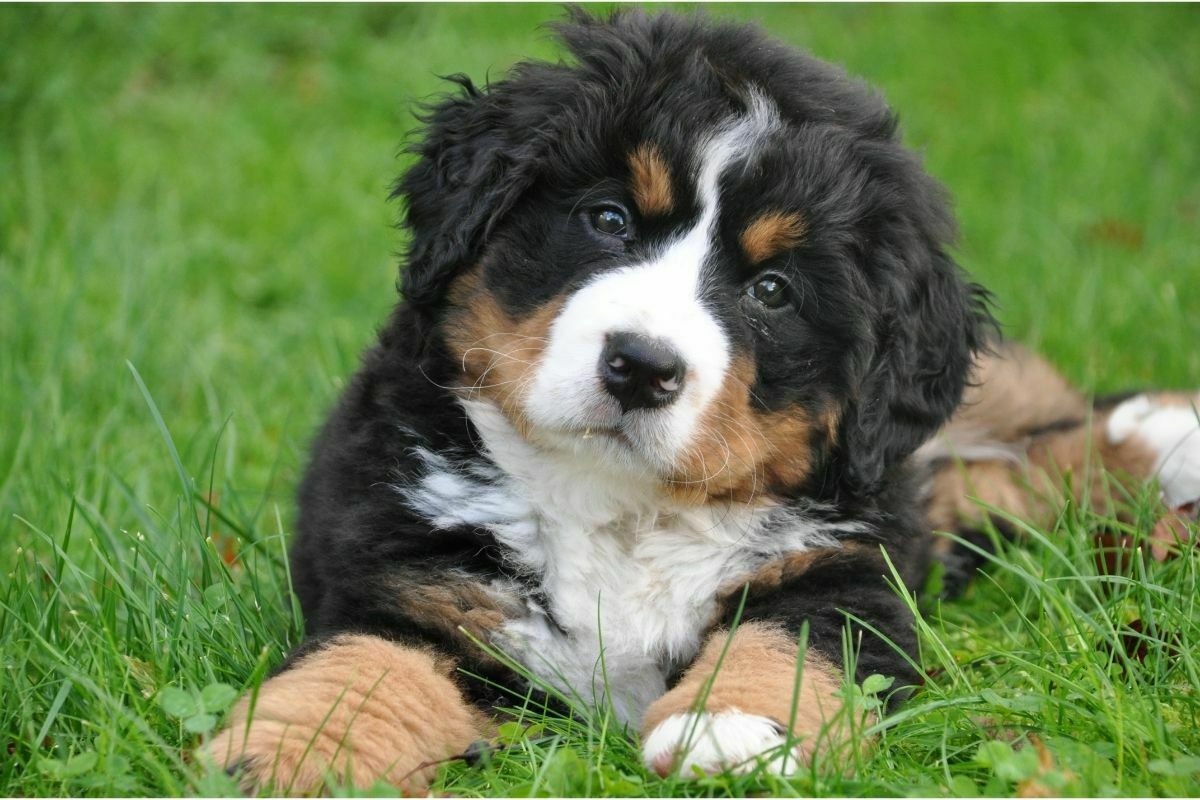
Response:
column 361, row 711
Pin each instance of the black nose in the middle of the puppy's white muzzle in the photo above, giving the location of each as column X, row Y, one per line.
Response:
column 641, row 372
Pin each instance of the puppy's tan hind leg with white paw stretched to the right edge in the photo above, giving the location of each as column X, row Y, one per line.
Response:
column 1024, row 440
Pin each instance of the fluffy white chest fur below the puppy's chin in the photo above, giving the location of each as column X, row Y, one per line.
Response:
column 631, row 582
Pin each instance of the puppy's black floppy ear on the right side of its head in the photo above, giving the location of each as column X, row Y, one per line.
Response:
column 931, row 323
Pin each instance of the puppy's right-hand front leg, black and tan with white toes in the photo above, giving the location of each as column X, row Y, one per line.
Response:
column 740, row 707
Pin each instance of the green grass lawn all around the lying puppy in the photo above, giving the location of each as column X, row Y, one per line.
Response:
column 195, row 246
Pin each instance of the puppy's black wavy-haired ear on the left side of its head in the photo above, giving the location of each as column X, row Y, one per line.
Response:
column 471, row 170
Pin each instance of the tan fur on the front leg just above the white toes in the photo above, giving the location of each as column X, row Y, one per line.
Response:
column 758, row 677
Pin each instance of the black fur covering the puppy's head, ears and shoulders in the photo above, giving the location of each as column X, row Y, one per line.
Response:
column 885, row 332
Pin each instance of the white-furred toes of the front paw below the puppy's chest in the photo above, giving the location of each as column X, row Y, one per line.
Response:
column 706, row 744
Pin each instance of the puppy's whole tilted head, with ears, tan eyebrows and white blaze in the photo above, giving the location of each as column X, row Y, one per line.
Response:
column 694, row 254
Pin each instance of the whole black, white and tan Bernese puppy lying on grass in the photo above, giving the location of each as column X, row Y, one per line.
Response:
column 680, row 328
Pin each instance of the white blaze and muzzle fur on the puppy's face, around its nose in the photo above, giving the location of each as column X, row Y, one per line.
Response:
column 659, row 299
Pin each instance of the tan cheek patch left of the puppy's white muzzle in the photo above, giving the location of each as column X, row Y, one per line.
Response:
column 497, row 354
